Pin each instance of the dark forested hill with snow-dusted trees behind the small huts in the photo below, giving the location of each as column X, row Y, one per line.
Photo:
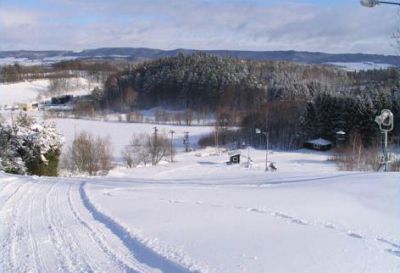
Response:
column 294, row 102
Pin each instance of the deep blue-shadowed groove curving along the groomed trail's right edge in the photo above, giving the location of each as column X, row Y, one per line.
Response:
column 142, row 253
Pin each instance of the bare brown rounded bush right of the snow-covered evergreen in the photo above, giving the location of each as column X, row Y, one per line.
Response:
column 89, row 154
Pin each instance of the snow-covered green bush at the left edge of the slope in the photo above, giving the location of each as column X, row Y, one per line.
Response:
column 29, row 147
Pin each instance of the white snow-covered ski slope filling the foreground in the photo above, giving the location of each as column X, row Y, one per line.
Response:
column 200, row 215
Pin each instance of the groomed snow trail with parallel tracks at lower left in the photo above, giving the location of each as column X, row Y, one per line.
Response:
column 49, row 220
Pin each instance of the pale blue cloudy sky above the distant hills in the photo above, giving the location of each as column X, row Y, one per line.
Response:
column 311, row 25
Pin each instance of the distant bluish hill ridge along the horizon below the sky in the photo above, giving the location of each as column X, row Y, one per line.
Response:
column 142, row 54
